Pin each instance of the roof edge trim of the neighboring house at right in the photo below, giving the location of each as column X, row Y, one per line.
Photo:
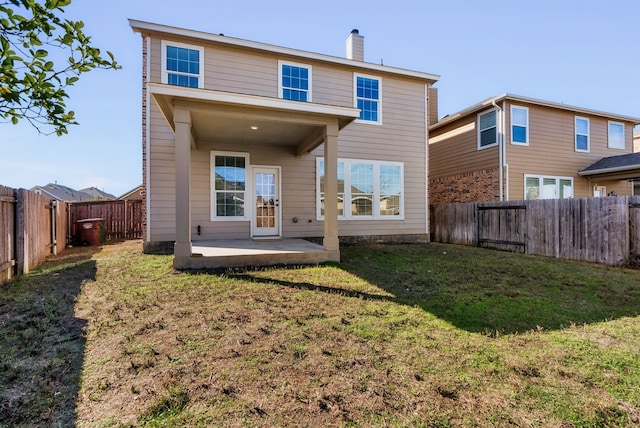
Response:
column 519, row 98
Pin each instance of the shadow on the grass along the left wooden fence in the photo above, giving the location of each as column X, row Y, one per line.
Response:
column 42, row 343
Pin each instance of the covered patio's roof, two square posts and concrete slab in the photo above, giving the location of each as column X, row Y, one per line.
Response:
column 198, row 115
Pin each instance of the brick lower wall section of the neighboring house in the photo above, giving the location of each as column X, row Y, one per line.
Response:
column 468, row 187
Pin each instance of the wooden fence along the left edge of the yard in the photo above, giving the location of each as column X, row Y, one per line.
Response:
column 31, row 228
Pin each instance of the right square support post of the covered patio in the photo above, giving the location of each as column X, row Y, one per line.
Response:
column 330, row 241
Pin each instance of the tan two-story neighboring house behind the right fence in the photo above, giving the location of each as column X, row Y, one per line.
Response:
column 511, row 147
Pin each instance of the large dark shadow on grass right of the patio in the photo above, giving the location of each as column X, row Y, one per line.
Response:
column 485, row 291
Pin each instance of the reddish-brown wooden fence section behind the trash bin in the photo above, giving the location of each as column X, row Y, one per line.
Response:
column 122, row 218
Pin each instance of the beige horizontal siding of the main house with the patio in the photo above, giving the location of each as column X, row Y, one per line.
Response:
column 400, row 138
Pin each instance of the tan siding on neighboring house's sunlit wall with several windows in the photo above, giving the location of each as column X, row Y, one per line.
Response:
column 551, row 150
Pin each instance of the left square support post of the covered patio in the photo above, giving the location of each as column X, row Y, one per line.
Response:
column 182, row 121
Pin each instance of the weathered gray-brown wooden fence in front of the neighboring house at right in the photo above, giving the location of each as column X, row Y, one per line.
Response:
column 601, row 230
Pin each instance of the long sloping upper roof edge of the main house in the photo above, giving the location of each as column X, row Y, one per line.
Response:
column 143, row 26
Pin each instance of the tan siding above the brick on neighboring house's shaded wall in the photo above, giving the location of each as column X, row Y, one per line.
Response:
column 459, row 154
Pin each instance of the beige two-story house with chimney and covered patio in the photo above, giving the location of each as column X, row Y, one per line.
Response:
column 237, row 136
